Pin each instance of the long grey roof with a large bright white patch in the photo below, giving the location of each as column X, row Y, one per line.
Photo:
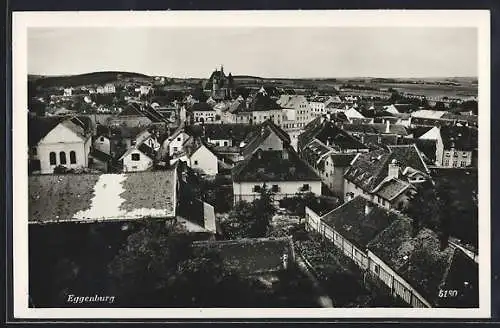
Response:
column 90, row 197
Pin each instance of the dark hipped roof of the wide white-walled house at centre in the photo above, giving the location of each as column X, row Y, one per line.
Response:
column 265, row 166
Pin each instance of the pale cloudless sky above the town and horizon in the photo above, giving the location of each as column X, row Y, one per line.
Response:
column 279, row 52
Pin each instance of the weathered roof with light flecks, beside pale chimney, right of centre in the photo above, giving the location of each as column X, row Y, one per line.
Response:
column 370, row 169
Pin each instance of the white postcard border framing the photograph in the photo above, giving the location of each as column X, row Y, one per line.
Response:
column 351, row 18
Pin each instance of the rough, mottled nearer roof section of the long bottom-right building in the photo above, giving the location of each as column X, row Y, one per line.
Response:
column 418, row 259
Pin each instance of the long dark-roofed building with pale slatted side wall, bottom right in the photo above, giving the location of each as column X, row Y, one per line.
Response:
column 413, row 265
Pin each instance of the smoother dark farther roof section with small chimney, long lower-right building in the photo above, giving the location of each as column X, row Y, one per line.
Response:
column 352, row 223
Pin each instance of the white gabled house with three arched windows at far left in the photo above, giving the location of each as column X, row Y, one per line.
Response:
column 58, row 141
